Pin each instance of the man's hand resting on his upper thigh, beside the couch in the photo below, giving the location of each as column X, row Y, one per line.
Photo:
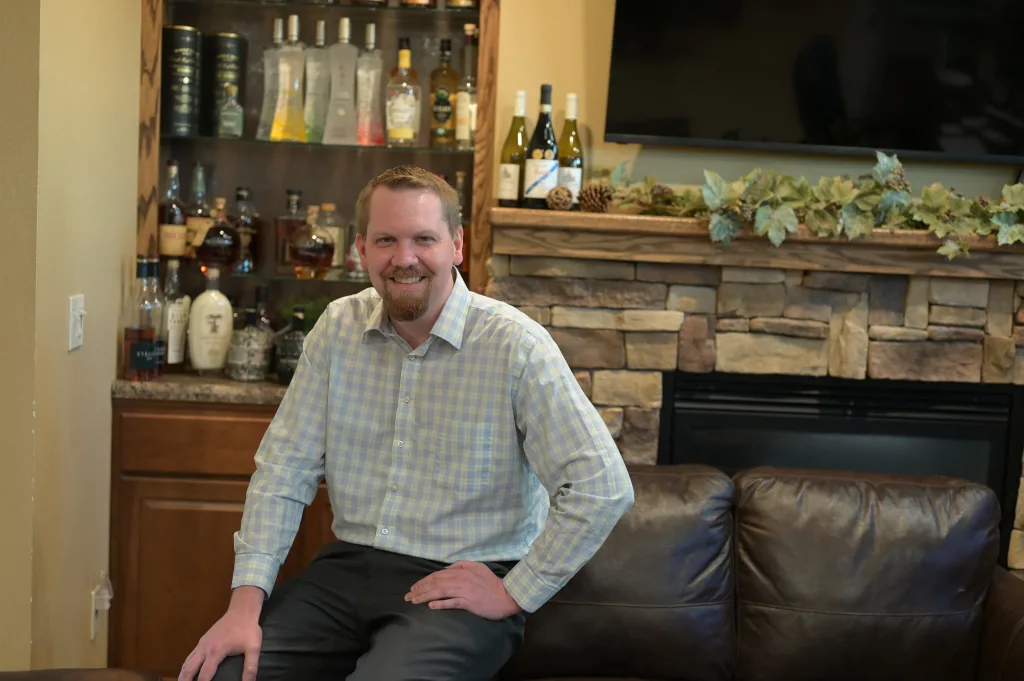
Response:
column 467, row 586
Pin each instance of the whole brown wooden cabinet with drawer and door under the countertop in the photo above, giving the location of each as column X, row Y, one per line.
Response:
column 181, row 472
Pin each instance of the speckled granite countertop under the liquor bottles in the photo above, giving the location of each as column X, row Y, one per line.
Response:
column 180, row 388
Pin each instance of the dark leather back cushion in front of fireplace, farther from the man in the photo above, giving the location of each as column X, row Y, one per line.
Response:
column 854, row 577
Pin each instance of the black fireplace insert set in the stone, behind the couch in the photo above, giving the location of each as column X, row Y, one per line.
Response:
column 735, row 422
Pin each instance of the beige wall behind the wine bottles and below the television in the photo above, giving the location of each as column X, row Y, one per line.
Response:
column 572, row 50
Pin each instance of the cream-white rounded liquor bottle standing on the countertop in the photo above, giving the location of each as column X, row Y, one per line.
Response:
column 210, row 323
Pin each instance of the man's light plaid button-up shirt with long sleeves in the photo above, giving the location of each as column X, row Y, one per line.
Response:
column 480, row 445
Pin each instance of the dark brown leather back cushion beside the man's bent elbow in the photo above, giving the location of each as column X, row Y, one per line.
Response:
column 656, row 601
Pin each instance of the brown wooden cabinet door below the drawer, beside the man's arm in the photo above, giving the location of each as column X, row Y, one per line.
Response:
column 175, row 560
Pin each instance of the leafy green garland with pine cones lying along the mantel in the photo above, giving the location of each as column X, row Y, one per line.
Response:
column 776, row 205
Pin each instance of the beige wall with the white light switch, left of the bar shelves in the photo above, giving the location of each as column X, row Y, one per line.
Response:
column 81, row 231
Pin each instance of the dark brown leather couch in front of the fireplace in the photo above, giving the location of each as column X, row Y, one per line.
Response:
column 788, row 576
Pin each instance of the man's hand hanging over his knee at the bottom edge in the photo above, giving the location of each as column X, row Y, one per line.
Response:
column 236, row 633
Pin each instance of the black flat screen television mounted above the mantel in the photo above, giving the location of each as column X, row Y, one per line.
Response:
column 926, row 79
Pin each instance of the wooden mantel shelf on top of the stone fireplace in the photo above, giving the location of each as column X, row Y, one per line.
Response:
column 651, row 239
